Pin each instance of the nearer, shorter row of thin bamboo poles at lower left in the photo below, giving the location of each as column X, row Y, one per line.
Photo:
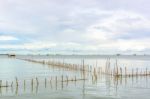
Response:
column 34, row 83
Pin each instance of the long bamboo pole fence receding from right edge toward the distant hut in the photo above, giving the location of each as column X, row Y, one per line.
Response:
column 115, row 71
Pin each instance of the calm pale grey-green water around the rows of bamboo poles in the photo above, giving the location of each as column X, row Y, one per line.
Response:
column 105, row 87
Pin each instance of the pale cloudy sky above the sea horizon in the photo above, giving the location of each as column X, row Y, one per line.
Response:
column 75, row 26
